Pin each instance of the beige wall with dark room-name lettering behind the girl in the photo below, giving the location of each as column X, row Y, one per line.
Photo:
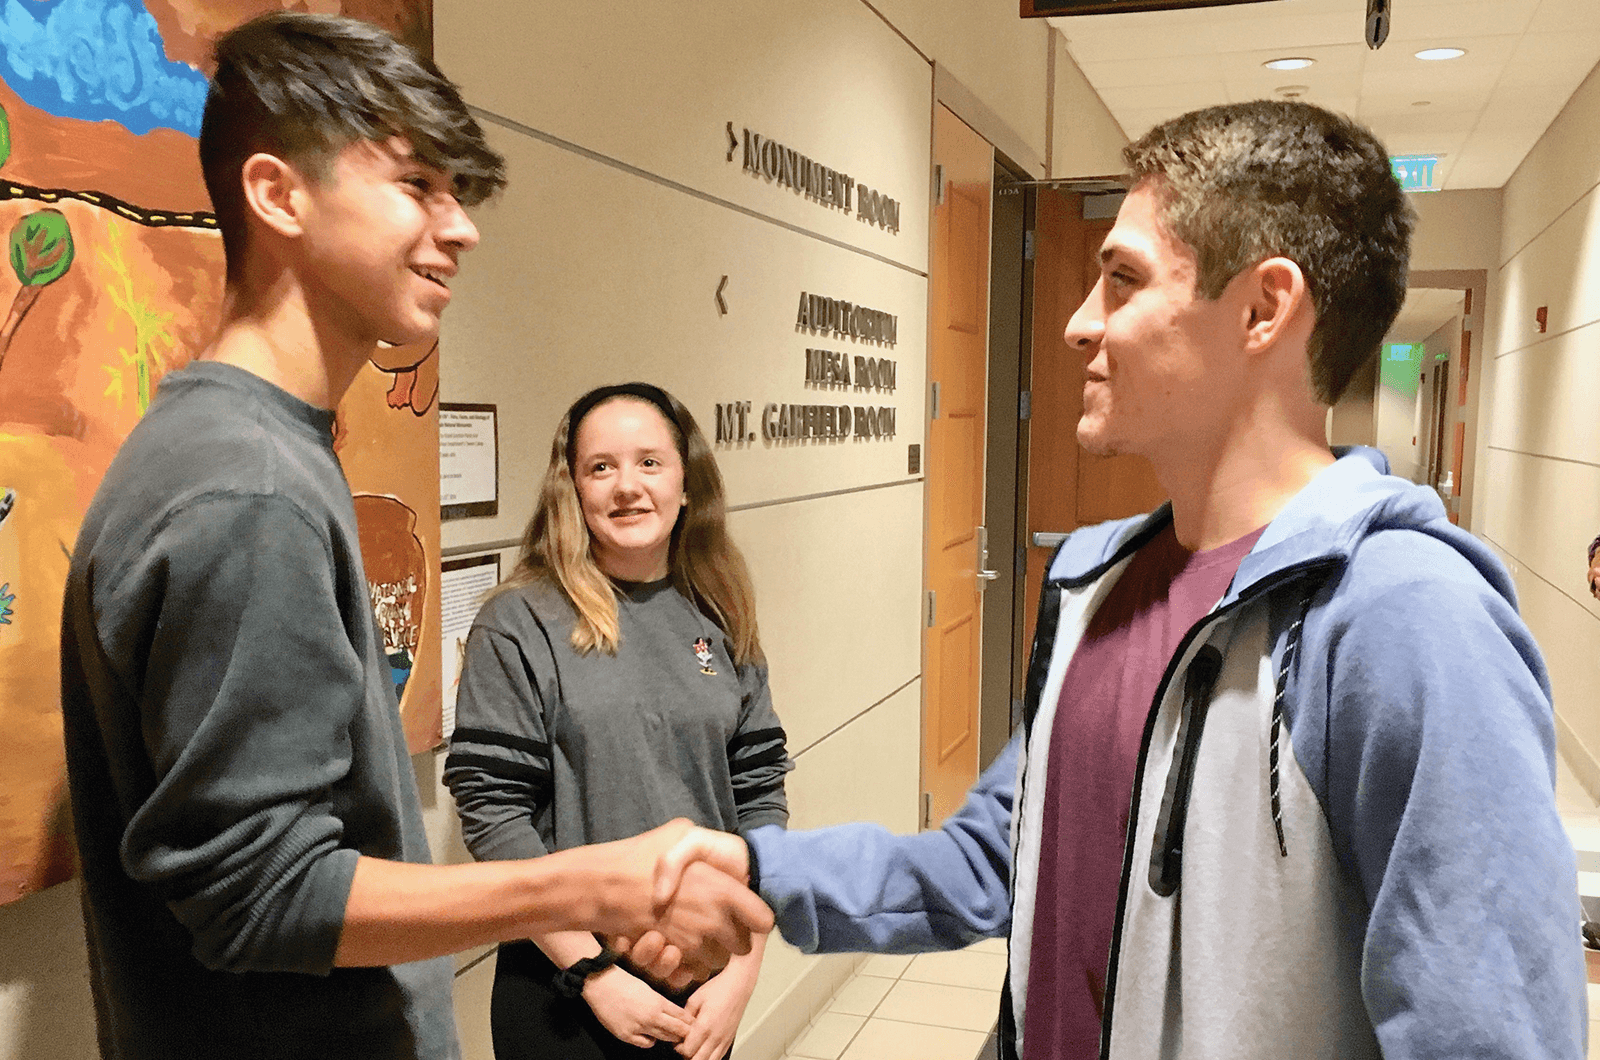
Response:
column 601, row 263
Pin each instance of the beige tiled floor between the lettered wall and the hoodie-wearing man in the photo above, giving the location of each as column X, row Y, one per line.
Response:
column 935, row 1006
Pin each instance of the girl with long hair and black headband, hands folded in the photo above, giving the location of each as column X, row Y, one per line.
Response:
column 614, row 685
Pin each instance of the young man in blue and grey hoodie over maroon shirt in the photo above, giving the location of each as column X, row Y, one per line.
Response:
column 1286, row 781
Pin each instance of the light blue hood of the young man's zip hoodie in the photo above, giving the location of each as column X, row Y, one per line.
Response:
column 1324, row 524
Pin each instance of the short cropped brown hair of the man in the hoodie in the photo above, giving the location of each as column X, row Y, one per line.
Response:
column 1260, row 180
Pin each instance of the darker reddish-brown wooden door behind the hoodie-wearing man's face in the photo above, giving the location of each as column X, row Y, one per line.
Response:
column 1066, row 486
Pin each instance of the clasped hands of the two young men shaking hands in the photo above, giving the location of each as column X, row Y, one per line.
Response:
column 708, row 913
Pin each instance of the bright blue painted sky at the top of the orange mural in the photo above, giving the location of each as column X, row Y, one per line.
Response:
column 98, row 60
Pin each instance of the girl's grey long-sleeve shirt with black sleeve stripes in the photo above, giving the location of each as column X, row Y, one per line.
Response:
column 556, row 750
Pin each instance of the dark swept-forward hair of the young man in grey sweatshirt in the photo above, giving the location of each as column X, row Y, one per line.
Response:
column 303, row 87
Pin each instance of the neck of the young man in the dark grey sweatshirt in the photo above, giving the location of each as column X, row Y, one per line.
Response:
column 271, row 332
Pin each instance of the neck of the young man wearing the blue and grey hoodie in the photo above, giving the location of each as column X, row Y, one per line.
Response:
column 1241, row 481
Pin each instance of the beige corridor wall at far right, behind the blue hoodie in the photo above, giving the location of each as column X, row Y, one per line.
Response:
column 1540, row 467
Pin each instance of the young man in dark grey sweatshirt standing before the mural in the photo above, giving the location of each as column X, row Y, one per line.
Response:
column 257, row 880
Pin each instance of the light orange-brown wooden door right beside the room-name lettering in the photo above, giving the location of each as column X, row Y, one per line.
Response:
column 958, row 372
